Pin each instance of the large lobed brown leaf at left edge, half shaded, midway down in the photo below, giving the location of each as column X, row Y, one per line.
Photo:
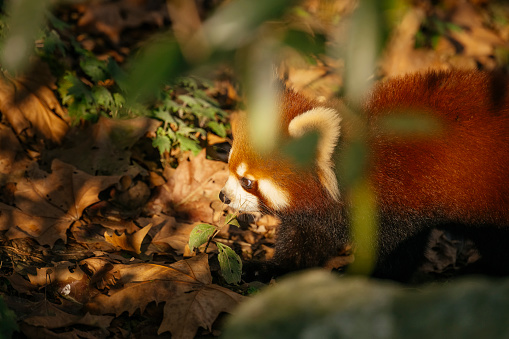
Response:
column 46, row 205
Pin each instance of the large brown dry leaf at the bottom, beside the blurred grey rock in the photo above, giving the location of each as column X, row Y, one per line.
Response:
column 191, row 300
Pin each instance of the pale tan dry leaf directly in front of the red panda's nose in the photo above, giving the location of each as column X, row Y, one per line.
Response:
column 193, row 186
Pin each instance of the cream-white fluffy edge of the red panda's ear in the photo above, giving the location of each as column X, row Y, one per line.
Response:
column 327, row 122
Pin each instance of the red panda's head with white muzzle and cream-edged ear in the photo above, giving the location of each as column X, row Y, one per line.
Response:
column 274, row 182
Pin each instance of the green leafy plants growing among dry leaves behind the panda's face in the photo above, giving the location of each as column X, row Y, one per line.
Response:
column 90, row 87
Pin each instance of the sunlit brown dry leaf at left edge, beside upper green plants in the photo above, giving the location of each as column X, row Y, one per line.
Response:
column 31, row 107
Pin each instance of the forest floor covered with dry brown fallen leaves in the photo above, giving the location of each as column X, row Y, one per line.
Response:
column 95, row 223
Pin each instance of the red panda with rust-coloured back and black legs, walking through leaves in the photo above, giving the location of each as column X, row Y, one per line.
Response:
column 457, row 180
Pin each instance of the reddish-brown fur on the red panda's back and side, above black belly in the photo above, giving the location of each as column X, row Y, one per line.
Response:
column 463, row 174
